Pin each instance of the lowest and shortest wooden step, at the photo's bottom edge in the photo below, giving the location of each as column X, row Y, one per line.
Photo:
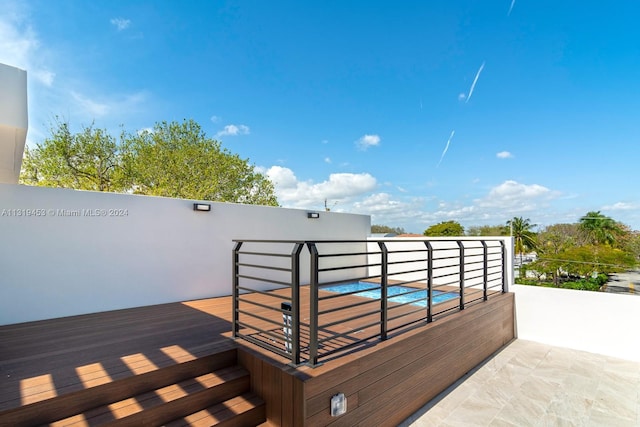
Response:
column 244, row 410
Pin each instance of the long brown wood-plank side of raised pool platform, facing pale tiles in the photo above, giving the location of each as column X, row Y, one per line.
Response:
column 454, row 349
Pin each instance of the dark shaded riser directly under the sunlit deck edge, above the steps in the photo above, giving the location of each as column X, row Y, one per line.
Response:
column 80, row 401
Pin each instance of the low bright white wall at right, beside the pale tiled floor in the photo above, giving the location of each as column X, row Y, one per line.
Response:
column 596, row 322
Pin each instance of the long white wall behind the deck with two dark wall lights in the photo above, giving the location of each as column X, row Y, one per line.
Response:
column 65, row 252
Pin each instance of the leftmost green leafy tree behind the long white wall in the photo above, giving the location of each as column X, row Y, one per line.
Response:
column 88, row 160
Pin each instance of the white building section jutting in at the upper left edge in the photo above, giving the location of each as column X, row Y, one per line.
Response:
column 13, row 121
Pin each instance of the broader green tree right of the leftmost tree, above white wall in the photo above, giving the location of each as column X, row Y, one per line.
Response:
column 178, row 160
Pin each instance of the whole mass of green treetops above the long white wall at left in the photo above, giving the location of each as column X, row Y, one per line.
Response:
column 171, row 160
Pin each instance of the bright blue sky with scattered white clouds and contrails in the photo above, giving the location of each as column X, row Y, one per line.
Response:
column 412, row 112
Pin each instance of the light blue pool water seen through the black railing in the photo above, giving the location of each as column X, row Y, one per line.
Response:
column 365, row 290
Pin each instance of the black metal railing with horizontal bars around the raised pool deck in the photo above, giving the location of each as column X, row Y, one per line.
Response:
column 285, row 298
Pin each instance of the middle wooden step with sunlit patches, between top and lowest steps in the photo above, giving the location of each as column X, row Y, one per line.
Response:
column 159, row 406
